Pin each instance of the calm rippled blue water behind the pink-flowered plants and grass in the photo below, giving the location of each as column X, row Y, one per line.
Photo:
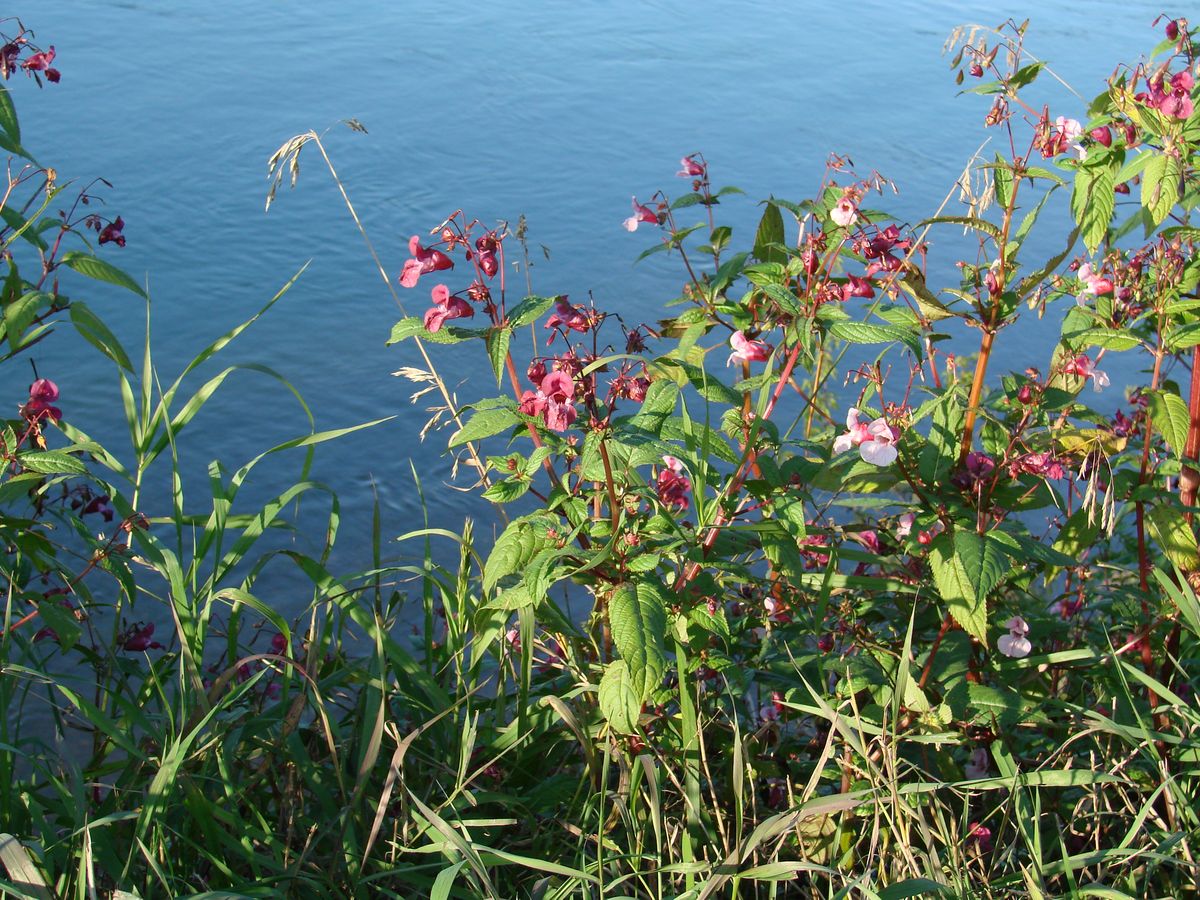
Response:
column 560, row 112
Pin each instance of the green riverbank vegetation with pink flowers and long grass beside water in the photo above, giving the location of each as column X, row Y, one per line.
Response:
column 797, row 592
